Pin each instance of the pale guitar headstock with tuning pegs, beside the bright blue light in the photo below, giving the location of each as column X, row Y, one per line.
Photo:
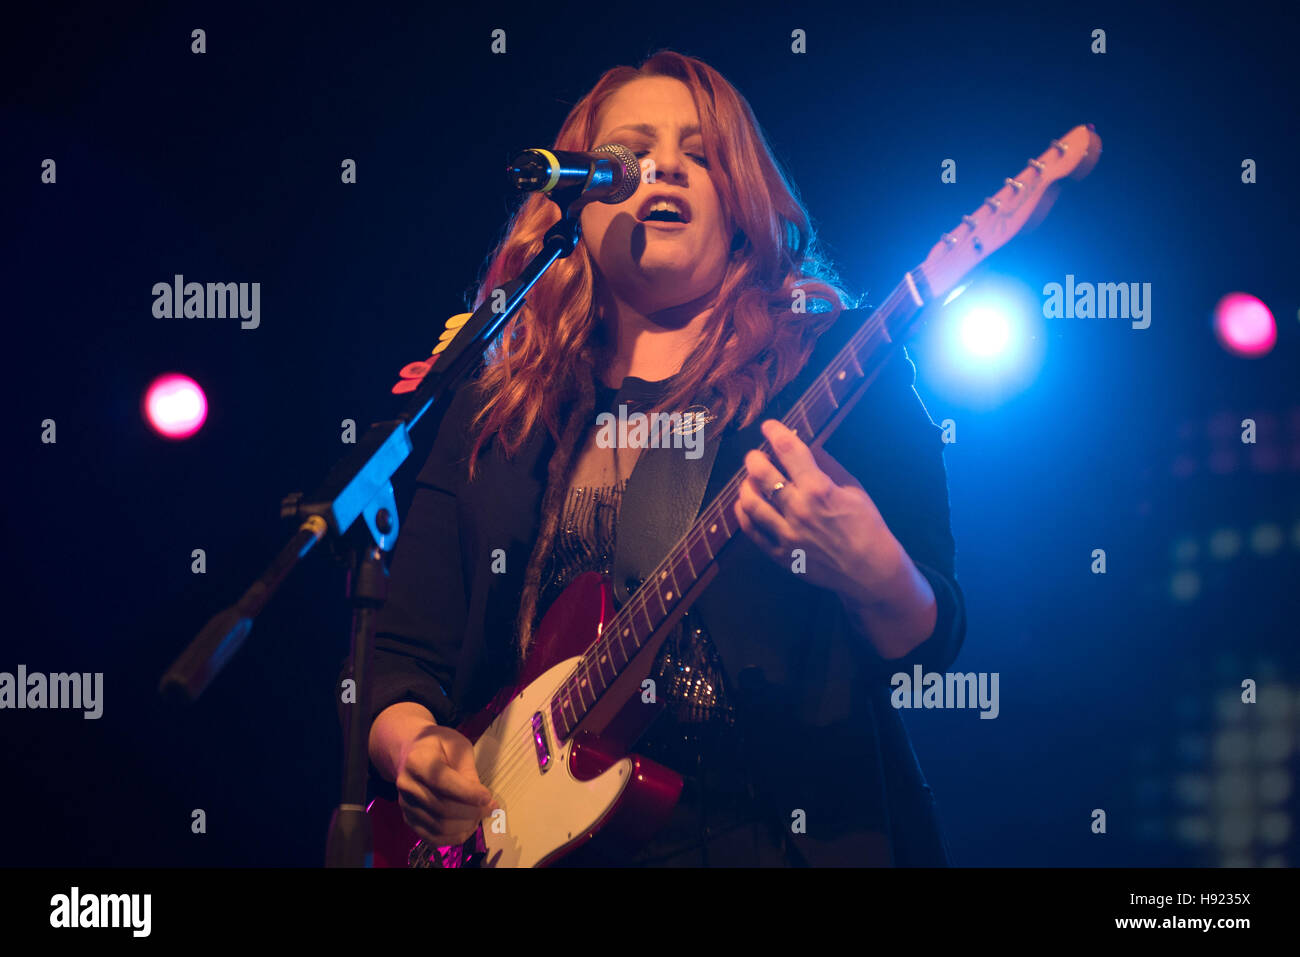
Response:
column 1022, row 201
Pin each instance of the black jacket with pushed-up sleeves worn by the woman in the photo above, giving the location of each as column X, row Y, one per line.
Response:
column 822, row 744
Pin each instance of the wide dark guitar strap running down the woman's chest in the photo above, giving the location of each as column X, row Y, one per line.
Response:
column 661, row 501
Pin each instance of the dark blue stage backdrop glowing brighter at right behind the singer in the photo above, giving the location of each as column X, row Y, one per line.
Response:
column 226, row 167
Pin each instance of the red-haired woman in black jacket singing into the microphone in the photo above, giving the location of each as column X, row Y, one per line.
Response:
column 707, row 287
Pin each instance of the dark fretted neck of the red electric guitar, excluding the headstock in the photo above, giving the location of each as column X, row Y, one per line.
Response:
column 673, row 587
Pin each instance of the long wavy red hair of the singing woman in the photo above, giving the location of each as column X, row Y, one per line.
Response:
column 756, row 344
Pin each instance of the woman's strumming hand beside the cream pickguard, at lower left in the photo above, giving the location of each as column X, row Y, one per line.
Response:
column 439, row 789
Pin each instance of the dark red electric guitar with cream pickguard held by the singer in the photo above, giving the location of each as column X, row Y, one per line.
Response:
column 556, row 750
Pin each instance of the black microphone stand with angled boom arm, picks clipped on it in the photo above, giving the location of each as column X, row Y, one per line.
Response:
column 361, row 487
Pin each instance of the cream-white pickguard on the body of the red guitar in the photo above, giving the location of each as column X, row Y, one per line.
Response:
column 544, row 811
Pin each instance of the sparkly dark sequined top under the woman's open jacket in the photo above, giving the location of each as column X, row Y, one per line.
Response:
column 687, row 672
